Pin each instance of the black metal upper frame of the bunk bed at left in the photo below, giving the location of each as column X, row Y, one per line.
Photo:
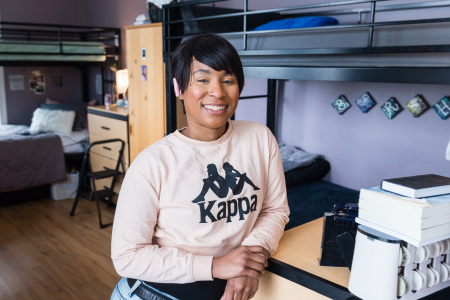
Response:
column 43, row 34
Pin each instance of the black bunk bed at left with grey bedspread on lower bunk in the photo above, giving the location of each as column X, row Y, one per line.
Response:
column 36, row 160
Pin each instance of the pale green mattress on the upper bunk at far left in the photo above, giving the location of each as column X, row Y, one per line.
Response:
column 50, row 51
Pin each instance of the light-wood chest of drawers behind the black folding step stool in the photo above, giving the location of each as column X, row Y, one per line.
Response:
column 108, row 123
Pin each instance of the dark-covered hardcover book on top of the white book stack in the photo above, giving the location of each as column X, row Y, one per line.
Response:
column 418, row 186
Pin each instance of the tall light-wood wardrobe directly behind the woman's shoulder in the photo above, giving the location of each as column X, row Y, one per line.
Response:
column 146, row 94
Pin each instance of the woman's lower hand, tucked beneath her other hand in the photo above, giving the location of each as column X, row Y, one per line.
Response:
column 241, row 288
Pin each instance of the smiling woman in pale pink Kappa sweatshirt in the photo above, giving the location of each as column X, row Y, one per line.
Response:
column 180, row 230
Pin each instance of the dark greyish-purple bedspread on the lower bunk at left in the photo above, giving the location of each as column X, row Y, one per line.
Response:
column 29, row 160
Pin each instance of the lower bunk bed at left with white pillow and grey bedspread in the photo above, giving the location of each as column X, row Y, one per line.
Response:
column 34, row 155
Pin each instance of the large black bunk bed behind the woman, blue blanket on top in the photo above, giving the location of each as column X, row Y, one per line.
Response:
column 362, row 50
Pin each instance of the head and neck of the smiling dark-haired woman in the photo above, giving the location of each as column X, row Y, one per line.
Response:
column 209, row 74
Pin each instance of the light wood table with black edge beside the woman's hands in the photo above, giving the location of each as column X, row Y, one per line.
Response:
column 294, row 271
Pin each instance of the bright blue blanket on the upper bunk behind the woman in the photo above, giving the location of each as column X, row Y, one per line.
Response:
column 298, row 23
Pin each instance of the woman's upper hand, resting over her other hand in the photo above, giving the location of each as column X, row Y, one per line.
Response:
column 244, row 261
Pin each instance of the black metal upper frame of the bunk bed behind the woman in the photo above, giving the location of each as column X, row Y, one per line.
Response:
column 424, row 75
